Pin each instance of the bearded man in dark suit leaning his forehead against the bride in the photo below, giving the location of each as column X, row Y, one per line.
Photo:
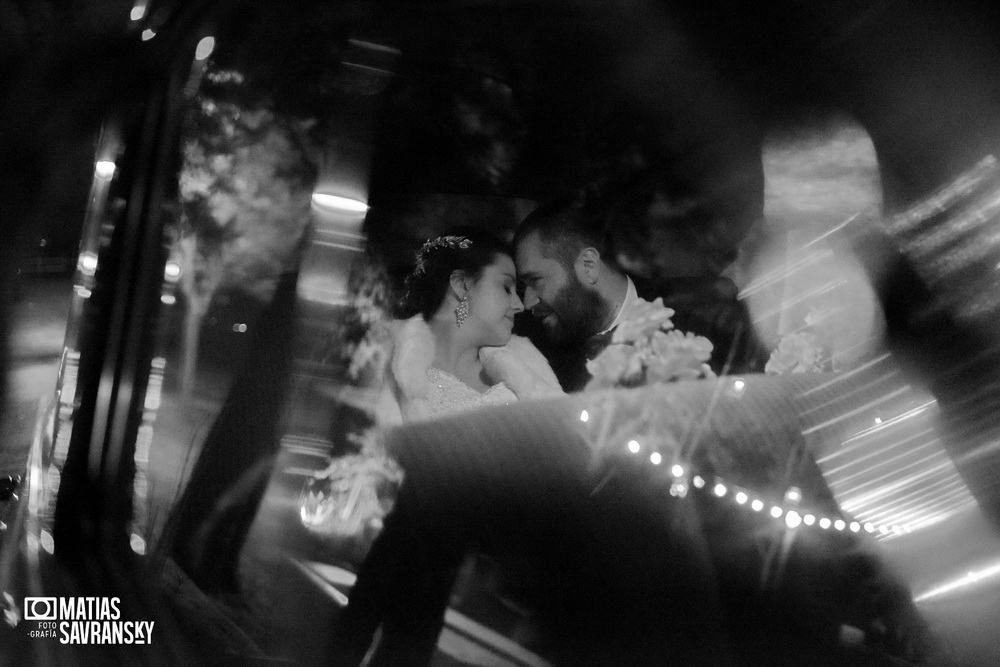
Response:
column 578, row 295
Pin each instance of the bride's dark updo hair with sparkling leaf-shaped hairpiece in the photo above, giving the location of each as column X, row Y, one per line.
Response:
column 465, row 248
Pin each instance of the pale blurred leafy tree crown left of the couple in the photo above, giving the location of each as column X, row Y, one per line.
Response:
column 245, row 184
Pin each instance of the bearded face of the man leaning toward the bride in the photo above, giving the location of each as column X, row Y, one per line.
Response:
column 568, row 309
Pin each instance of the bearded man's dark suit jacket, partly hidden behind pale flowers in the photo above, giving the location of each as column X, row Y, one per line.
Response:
column 706, row 306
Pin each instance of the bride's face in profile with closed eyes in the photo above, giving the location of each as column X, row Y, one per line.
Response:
column 493, row 302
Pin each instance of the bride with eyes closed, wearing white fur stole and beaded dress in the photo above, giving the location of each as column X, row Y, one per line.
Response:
column 456, row 352
